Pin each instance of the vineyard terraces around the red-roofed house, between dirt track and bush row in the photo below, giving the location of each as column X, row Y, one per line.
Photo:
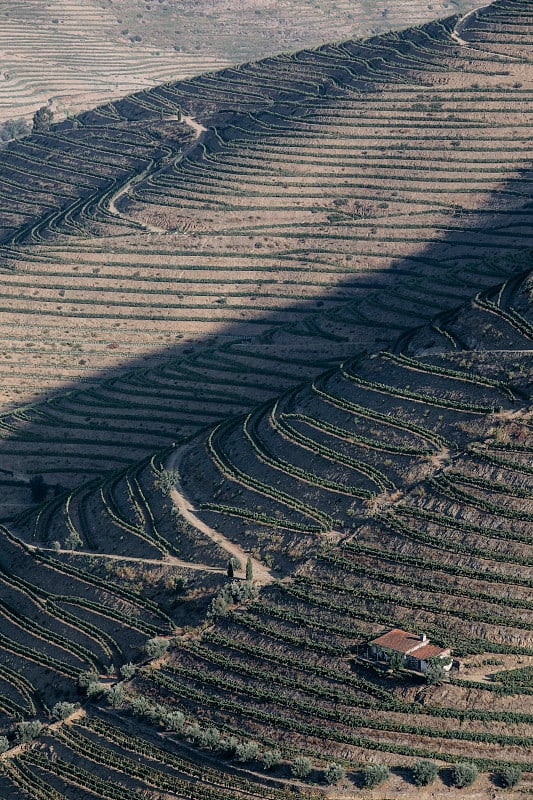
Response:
column 400, row 487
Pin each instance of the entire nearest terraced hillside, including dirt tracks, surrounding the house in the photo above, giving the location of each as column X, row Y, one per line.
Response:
column 392, row 491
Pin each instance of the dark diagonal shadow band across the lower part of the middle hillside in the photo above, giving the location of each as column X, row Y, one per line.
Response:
column 447, row 273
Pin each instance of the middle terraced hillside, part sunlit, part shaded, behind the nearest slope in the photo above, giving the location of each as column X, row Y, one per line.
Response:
column 312, row 218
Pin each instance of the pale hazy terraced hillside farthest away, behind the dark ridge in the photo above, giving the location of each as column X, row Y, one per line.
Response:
column 72, row 55
